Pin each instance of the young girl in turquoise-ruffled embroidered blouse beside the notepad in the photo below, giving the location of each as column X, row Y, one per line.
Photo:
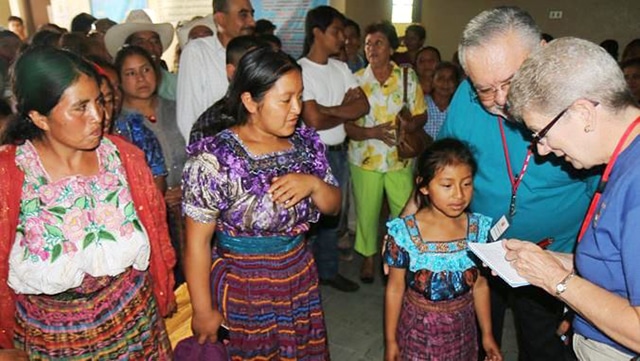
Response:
column 435, row 291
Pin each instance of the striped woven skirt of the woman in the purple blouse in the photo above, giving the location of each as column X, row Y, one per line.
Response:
column 271, row 303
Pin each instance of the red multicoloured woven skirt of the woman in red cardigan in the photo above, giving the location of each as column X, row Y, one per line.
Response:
column 107, row 318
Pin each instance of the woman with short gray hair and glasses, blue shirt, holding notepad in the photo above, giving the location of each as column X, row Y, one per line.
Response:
column 572, row 94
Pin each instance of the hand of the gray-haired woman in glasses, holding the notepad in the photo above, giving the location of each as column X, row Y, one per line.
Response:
column 541, row 268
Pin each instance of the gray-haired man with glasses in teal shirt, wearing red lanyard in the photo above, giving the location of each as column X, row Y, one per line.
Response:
column 538, row 198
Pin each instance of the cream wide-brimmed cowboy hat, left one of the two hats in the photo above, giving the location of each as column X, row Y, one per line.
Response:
column 137, row 20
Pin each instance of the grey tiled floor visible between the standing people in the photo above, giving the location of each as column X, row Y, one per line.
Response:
column 354, row 320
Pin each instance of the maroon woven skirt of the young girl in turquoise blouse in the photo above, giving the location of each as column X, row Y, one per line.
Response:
column 437, row 331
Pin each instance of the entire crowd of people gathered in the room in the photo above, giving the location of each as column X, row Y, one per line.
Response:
column 236, row 173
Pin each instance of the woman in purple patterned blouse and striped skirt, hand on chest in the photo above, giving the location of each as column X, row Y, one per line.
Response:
column 257, row 185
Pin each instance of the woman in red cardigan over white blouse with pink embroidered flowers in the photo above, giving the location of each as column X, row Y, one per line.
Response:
column 77, row 241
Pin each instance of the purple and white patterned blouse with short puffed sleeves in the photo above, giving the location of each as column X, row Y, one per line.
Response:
column 225, row 183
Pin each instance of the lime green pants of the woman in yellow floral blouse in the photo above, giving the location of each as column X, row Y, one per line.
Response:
column 369, row 188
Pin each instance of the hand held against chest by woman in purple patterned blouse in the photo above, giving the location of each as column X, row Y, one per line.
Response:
column 291, row 188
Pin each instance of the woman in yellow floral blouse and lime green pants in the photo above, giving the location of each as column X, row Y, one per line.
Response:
column 374, row 164
